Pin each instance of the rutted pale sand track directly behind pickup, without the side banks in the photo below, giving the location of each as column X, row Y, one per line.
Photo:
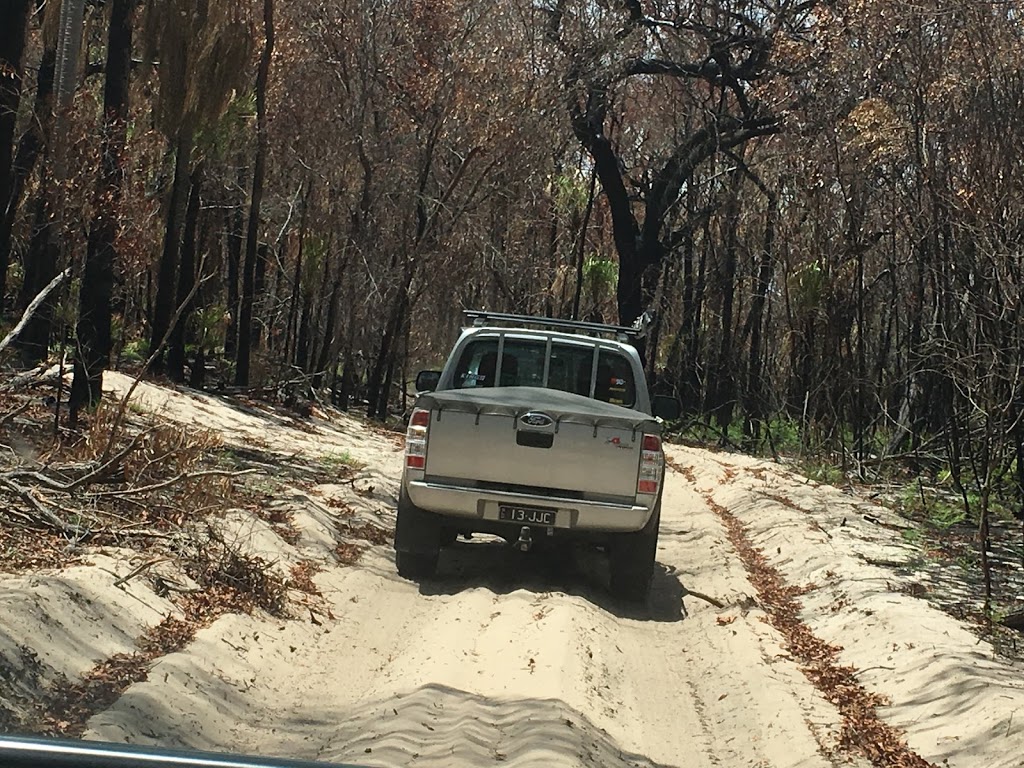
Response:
column 513, row 659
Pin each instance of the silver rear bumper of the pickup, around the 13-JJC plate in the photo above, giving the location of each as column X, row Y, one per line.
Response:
column 573, row 515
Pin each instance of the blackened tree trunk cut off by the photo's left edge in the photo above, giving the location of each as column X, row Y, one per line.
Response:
column 16, row 14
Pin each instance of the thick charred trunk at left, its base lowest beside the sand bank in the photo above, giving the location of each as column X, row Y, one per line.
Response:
column 93, row 354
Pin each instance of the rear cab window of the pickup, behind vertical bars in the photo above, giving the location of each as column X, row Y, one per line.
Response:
column 571, row 368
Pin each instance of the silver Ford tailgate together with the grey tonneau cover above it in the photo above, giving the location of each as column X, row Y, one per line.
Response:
column 535, row 439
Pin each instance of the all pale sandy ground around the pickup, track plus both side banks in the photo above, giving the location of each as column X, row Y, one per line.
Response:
column 525, row 660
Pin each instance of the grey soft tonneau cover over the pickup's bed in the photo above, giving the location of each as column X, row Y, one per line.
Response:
column 515, row 402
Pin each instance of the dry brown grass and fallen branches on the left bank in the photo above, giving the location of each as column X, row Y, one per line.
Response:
column 84, row 489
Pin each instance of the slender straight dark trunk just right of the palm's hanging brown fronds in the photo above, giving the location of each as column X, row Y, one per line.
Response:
column 243, row 360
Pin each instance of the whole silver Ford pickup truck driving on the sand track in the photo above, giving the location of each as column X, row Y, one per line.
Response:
column 536, row 431
